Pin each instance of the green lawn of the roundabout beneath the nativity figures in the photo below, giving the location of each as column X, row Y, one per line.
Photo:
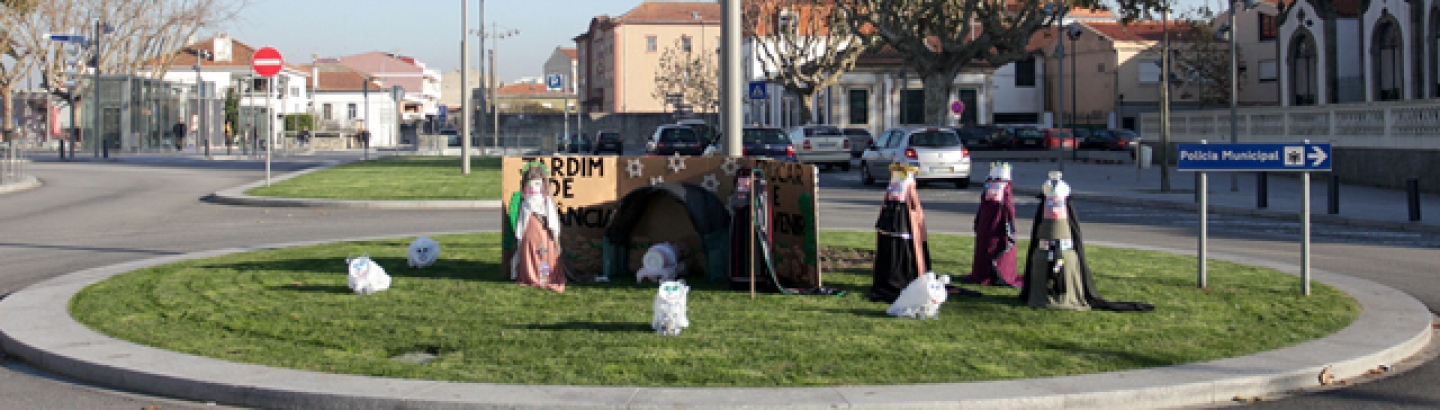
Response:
column 292, row 309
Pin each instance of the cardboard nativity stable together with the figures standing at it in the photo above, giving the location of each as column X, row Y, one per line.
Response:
column 663, row 219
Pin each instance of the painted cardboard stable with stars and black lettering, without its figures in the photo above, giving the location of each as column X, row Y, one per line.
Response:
column 587, row 193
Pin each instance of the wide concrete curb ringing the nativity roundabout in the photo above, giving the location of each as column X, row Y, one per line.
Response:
column 37, row 327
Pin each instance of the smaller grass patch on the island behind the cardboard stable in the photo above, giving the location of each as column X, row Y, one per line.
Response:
column 395, row 179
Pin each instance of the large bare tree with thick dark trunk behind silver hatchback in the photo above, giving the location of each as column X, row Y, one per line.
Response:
column 942, row 38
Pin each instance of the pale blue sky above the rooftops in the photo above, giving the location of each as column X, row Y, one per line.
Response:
column 427, row 29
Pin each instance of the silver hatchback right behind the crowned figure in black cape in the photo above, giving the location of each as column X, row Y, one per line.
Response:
column 938, row 153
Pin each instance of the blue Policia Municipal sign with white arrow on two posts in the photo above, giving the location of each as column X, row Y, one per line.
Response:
column 1255, row 158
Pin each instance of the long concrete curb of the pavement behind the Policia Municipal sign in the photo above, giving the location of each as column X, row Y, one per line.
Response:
column 1405, row 227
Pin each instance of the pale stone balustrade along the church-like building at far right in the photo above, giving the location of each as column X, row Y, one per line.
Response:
column 1402, row 124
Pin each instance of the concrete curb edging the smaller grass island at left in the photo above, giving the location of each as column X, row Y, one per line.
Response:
column 238, row 198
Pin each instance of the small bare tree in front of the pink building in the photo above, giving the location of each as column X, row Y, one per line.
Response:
column 695, row 77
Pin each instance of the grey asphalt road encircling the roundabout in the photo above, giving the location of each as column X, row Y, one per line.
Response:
column 102, row 214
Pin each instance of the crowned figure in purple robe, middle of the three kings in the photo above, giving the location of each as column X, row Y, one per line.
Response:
column 994, row 263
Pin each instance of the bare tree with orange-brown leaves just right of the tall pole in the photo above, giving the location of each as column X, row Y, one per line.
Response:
column 804, row 45
